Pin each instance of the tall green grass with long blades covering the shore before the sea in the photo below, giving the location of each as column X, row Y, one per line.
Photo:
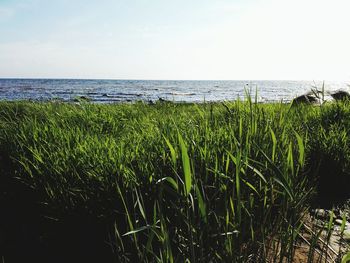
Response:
column 222, row 182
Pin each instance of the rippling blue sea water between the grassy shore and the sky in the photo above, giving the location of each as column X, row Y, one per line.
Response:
column 110, row 91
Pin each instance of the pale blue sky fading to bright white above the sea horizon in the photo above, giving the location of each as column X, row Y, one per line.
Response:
column 178, row 39
